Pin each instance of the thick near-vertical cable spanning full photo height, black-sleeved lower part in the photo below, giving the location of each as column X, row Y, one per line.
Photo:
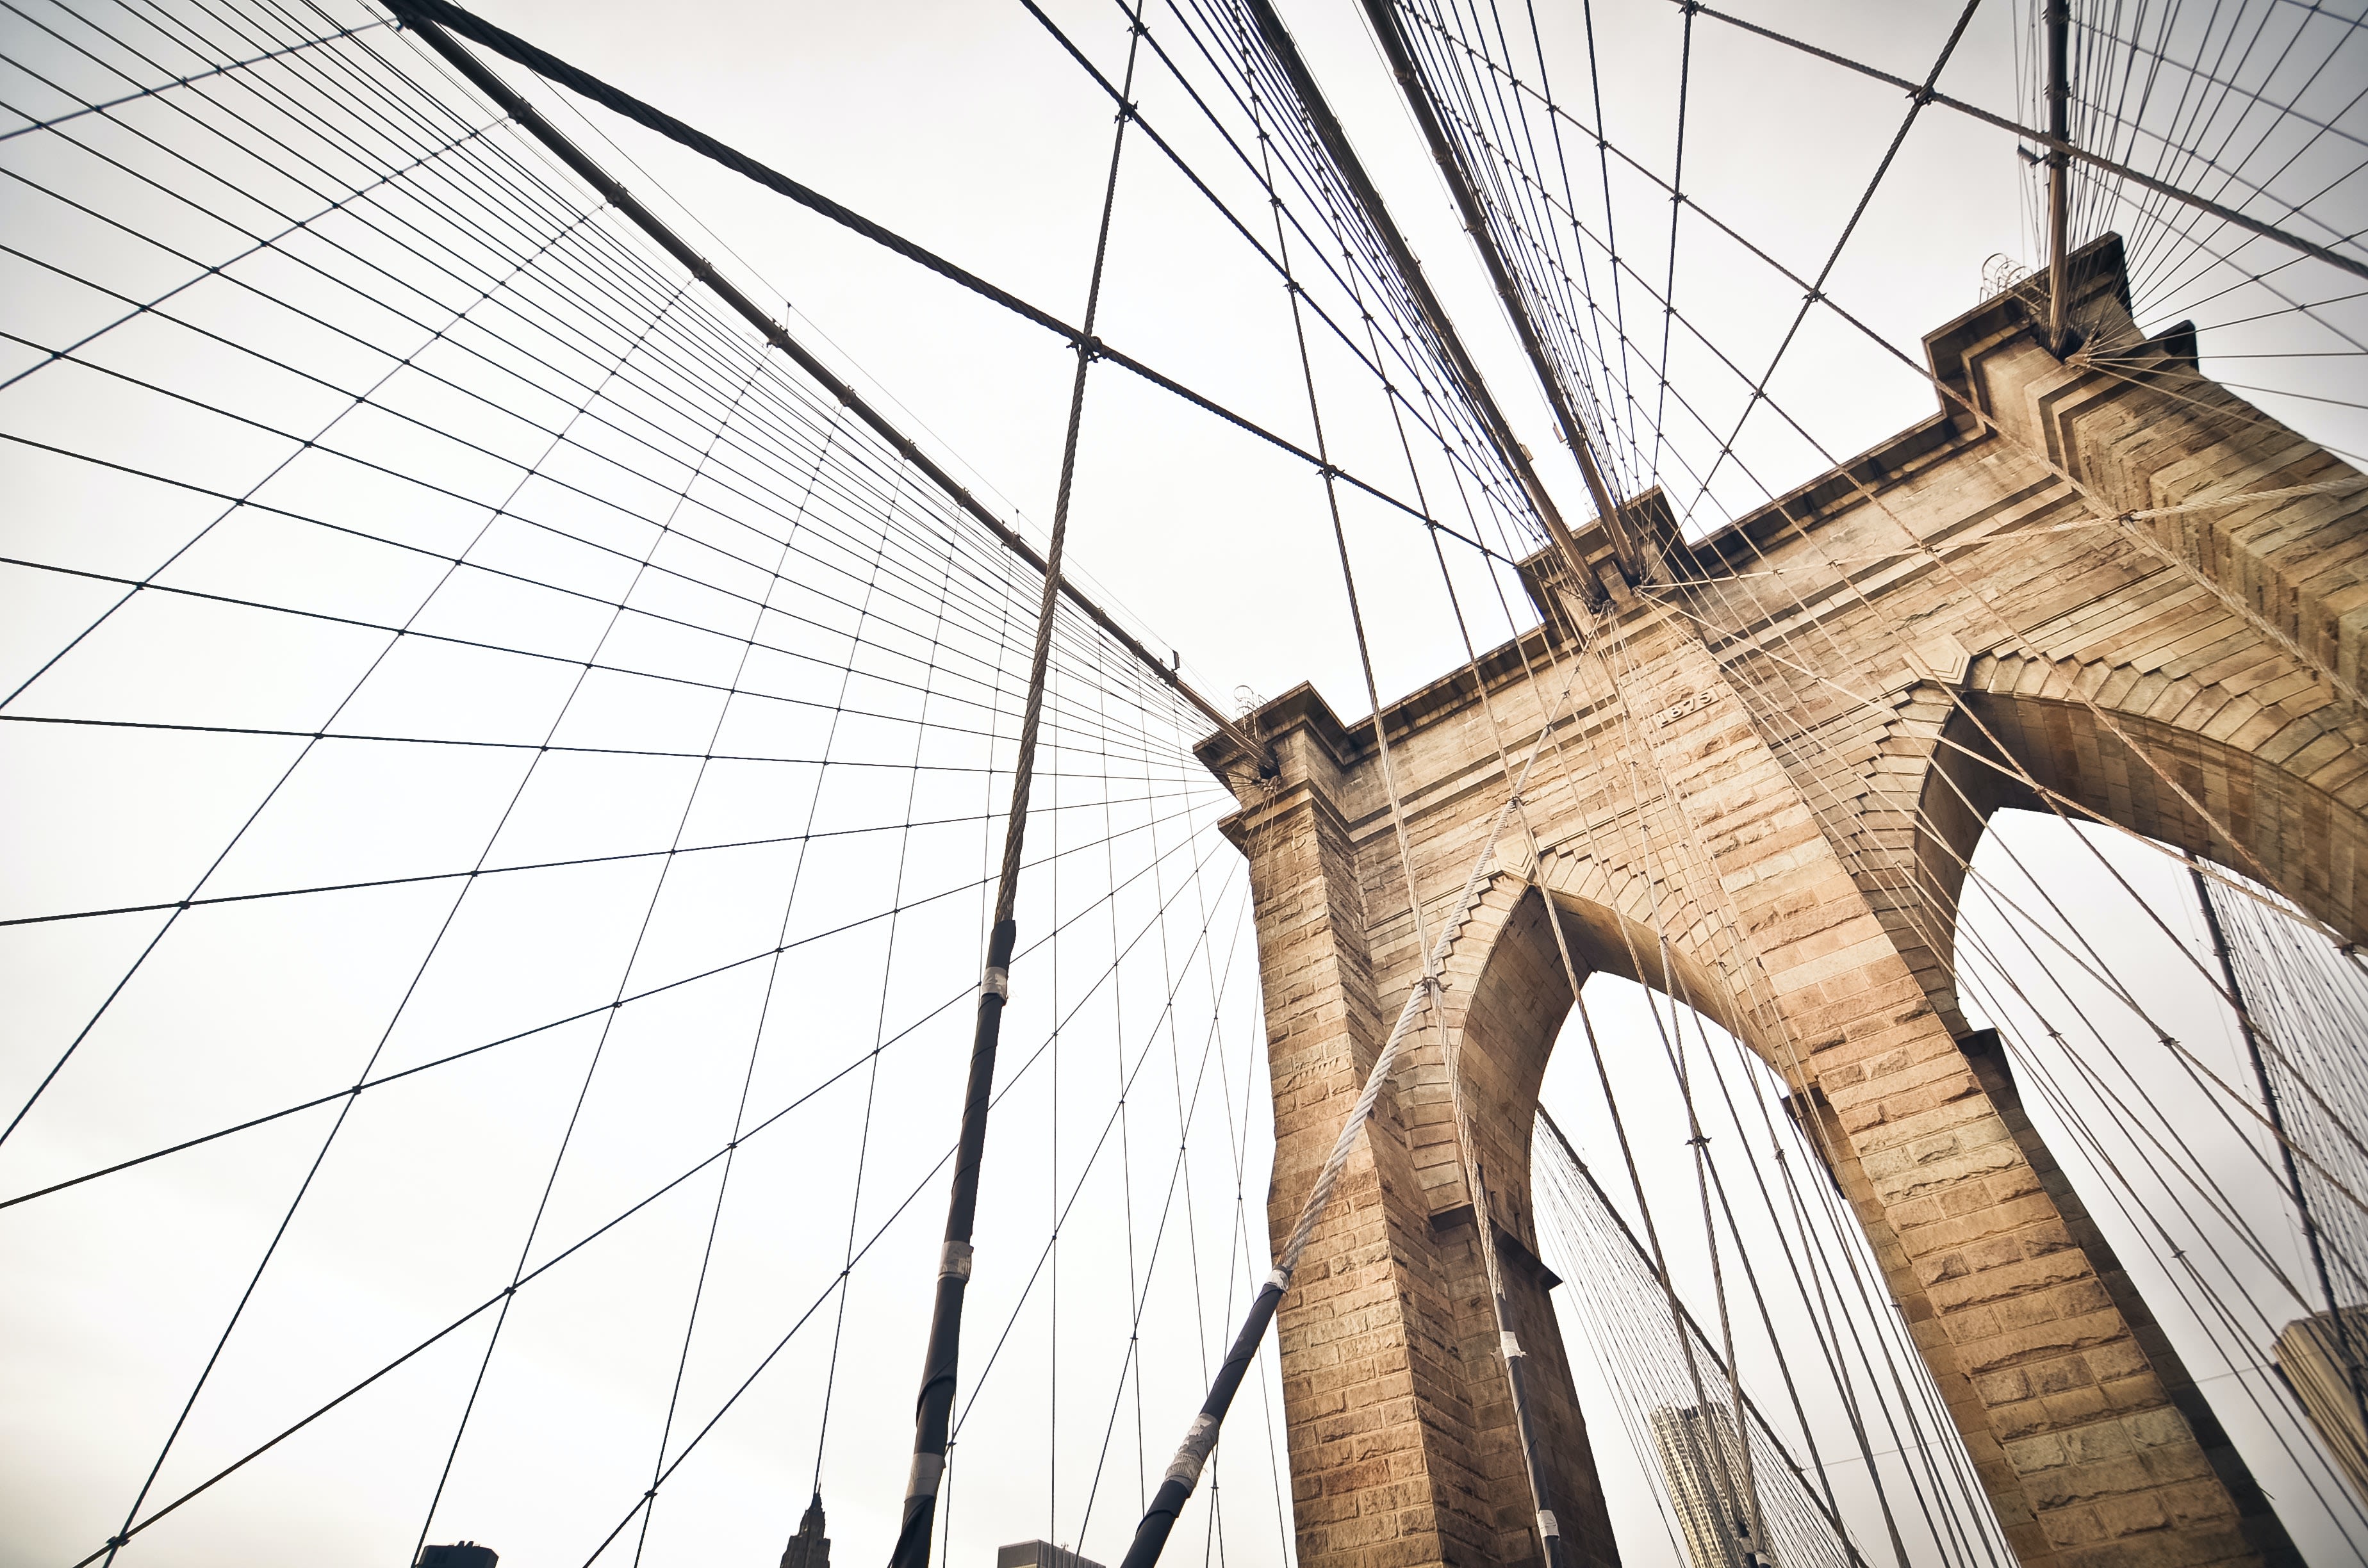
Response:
column 937, row 1403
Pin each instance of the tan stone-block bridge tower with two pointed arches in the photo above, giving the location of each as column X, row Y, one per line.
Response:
column 1782, row 769
